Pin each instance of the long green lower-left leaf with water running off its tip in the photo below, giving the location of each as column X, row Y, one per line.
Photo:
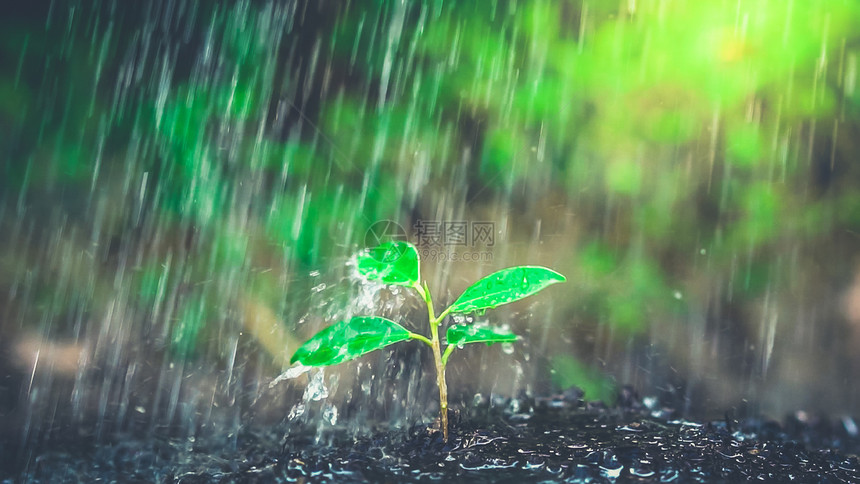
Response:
column 349, row 339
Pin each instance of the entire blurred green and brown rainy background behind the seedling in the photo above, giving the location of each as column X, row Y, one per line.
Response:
column 184, row 182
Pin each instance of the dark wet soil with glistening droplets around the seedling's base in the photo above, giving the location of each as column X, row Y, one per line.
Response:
column 550, row 439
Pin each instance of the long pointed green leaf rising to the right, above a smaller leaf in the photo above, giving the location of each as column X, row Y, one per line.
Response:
column 505, row 286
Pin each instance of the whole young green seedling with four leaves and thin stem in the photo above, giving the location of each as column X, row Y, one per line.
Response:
column 397, row 263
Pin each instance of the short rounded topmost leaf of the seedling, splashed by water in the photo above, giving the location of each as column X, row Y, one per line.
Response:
column 393, row 262
